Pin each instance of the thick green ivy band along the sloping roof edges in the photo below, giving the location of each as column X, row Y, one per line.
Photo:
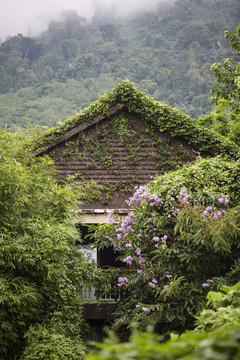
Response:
column 155, row 115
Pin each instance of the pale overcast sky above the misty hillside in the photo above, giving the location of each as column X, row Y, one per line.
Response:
column 18, row 16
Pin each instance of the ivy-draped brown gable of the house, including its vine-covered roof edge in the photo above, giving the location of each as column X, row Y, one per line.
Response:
column 124, row 139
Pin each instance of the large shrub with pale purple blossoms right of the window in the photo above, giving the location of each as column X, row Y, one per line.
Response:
column 177, row 245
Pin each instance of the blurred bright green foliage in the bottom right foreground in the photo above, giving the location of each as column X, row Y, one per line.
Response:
column 217, row 336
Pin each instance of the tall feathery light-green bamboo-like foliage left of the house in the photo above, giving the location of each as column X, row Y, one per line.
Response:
column 41, row 267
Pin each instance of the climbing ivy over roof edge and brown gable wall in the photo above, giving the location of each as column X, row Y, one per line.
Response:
column 174, row 136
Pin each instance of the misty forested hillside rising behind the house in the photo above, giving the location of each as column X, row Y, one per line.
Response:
column 167, row 54
